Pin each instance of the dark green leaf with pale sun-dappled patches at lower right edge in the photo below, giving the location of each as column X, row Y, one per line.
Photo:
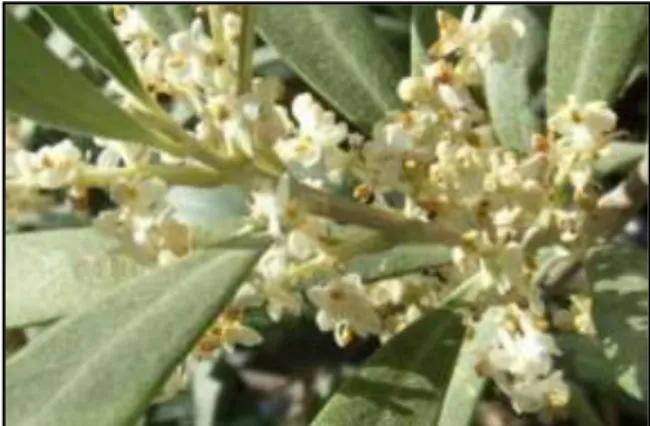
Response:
column 615, row 362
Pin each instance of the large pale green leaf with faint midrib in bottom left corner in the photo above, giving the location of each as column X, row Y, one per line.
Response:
column 103, row 366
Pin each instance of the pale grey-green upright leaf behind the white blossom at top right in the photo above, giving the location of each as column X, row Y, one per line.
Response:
column 507, row 84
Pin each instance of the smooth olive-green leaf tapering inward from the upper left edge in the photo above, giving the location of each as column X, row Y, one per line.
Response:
column 42, row 88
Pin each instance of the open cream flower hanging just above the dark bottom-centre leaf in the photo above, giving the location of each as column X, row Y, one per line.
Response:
column 344, row 300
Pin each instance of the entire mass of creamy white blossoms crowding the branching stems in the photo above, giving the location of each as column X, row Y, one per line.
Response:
column 437, row 162
